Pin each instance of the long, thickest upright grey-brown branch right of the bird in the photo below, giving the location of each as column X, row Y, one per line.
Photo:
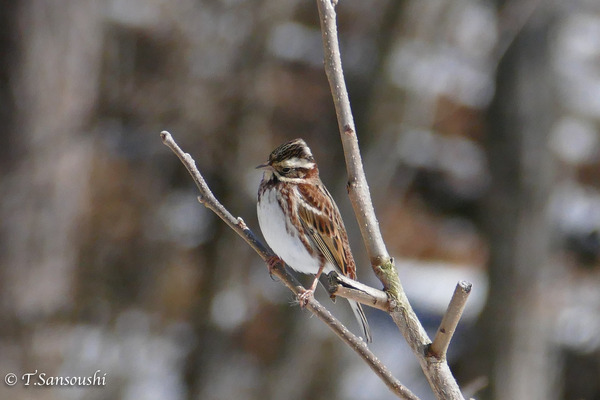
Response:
column 436, row 371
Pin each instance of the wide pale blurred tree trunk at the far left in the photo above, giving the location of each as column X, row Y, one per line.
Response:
column 45, row 183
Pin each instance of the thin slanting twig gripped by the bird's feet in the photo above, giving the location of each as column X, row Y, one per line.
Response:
column 237, row 224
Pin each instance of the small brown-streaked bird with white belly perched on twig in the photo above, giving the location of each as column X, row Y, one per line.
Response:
column 301, row 222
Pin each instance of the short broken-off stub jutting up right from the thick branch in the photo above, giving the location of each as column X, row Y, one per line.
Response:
column 440, row 344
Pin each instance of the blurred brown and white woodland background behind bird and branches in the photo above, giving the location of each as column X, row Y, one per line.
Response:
column 479, row 127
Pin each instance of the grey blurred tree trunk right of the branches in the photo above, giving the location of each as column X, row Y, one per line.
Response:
column 516, row 344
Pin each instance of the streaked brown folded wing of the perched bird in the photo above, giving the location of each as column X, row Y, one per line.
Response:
column 321, row 218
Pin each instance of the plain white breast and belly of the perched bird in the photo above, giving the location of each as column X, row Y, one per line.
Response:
column 282, row 236
